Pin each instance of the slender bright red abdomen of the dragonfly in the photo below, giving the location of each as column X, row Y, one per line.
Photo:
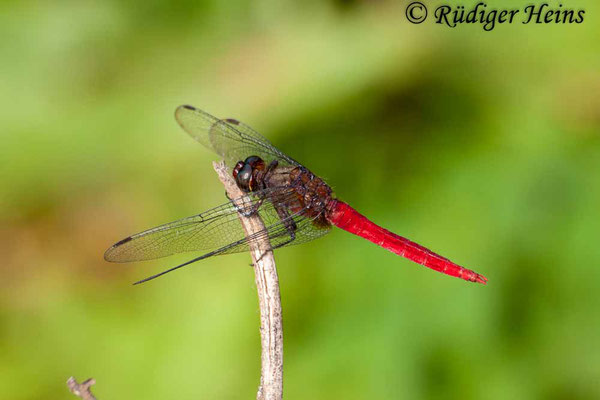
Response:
column 347, row 218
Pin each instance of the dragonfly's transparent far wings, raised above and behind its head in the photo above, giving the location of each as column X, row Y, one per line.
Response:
column 229, row 138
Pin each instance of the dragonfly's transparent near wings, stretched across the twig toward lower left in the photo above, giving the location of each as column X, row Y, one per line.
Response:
column 219, row 230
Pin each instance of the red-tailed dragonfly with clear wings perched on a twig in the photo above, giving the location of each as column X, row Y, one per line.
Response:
column 295, row 205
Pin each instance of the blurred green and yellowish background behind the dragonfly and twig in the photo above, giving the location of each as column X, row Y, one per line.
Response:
column 484, row 146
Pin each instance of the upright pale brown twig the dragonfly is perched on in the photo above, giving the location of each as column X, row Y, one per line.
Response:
column 269, row 299
